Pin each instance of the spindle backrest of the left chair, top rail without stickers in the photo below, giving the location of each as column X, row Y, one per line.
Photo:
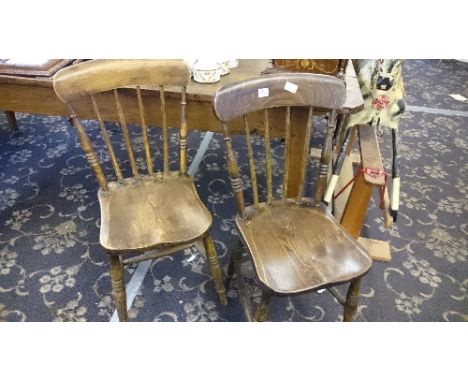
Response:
column 117, row 79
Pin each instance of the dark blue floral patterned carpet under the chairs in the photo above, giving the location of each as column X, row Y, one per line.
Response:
column 53, row 269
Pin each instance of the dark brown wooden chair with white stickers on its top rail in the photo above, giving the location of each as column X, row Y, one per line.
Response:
column 296, row 245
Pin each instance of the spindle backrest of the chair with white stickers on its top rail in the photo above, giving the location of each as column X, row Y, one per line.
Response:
column 286, row 90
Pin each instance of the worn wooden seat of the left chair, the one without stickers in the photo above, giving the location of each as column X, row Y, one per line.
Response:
column 146, row 212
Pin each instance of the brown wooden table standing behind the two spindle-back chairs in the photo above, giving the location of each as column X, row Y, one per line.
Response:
column 36, row 95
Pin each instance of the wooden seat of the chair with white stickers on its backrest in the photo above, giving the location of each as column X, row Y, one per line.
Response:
column 300, row 247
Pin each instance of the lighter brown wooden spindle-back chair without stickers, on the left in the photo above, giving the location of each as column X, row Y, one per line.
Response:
column 159, row 211
